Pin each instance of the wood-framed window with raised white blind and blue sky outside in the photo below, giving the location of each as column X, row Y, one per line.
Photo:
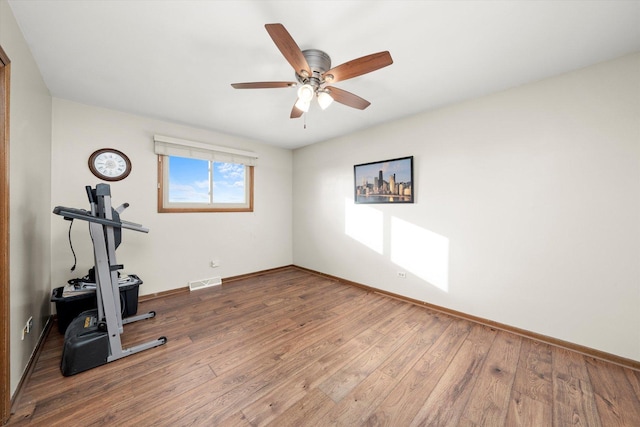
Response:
column 197, row 177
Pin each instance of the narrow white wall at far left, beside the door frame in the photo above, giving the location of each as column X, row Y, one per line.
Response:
column 30, row 192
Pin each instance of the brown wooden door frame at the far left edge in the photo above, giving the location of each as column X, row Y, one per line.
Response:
column 5, row 314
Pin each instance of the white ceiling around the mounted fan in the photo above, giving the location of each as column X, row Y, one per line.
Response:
column 175, row 60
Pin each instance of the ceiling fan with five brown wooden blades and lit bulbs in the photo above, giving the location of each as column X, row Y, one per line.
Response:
column 314, row 73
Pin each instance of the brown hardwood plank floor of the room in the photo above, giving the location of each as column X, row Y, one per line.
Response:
column 290, row 348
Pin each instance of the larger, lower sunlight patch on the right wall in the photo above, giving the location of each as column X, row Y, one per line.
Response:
column 420, row 251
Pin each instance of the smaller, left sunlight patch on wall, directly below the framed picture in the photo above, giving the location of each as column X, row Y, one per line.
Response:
column 364, row 224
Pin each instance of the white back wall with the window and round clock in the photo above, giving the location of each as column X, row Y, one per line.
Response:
column 179, row 247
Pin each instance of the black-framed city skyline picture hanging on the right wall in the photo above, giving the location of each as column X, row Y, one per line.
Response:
column 387, row 181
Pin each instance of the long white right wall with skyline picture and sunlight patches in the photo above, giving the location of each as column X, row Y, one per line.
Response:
column 527, row 208
